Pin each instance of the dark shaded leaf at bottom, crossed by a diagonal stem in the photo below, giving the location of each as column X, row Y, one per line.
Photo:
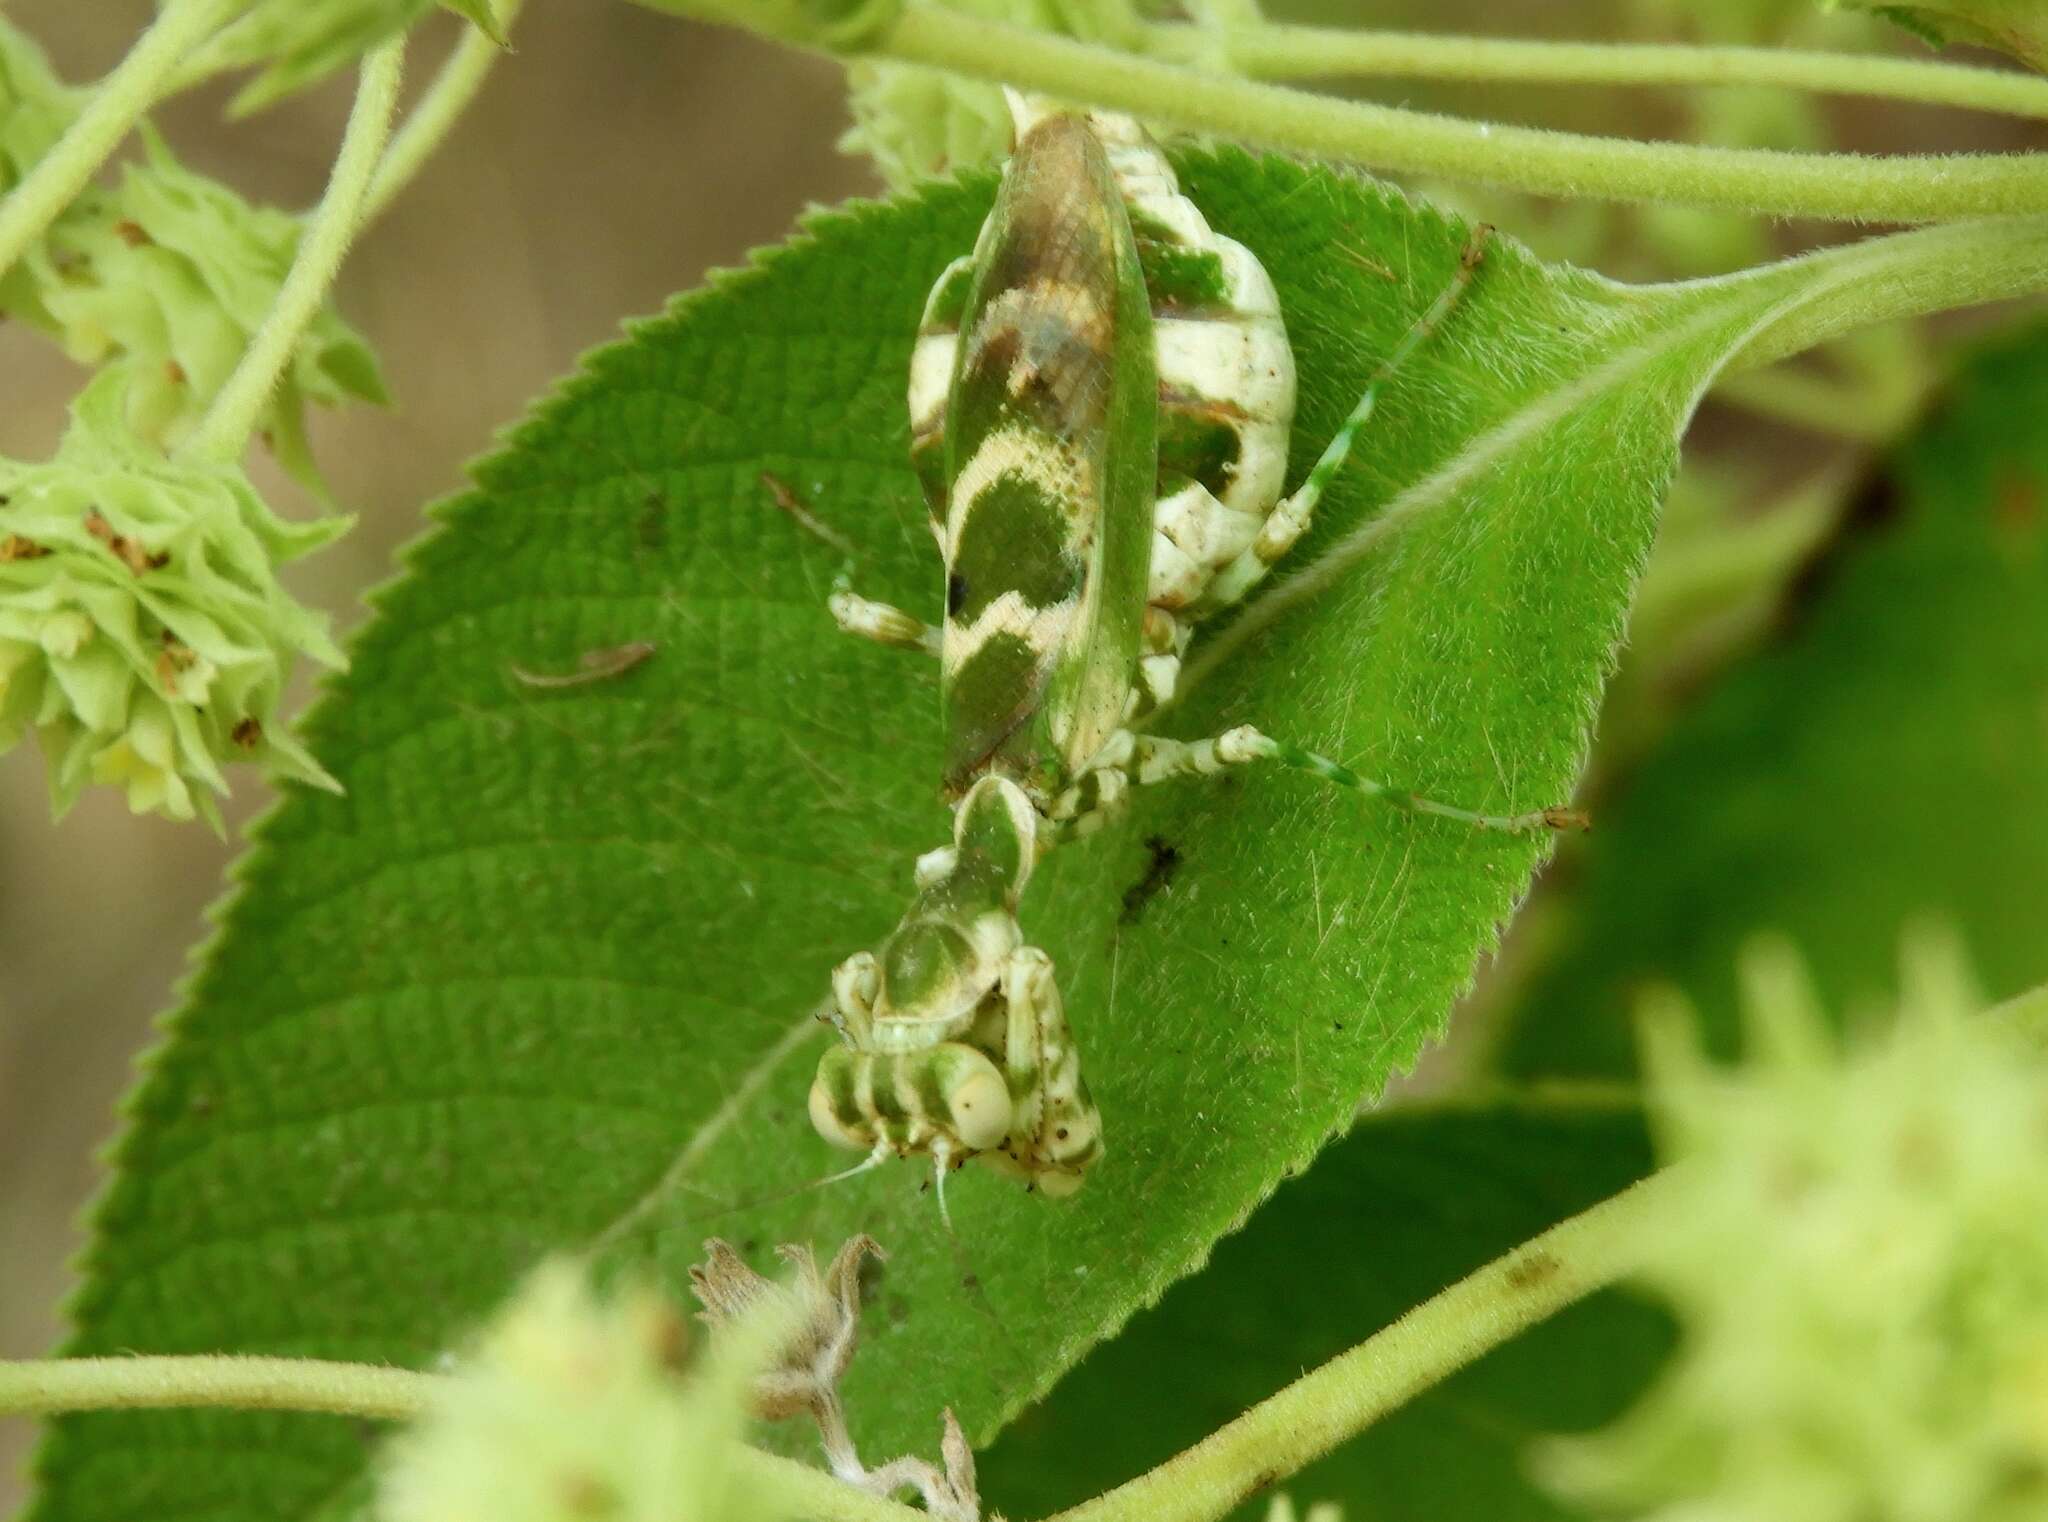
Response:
column 1400, row 1210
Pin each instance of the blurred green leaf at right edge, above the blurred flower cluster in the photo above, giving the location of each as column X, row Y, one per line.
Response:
column 1881, row 763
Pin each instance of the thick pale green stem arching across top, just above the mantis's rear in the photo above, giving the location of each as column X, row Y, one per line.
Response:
column 1842, row 187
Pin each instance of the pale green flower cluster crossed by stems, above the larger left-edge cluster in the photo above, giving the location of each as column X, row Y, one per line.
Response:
column 167, row 276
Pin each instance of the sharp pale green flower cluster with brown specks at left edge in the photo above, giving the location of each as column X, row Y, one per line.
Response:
column 144, row 636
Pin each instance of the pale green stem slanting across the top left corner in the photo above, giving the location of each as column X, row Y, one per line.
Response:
column 110, row 116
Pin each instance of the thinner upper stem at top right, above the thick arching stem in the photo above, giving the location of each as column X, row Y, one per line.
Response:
column 1283, row 52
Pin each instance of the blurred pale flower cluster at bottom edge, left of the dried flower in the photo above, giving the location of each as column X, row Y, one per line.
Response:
column 577, row 1408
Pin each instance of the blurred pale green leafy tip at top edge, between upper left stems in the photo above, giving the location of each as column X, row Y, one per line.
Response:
column 300, row 44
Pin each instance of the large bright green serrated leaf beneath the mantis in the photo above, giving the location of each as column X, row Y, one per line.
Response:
column 546, row 976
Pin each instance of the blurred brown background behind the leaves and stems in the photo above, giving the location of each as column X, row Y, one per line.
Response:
column 611, row 161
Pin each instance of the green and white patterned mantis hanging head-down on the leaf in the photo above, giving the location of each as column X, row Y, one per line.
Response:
column 1101, row 405
